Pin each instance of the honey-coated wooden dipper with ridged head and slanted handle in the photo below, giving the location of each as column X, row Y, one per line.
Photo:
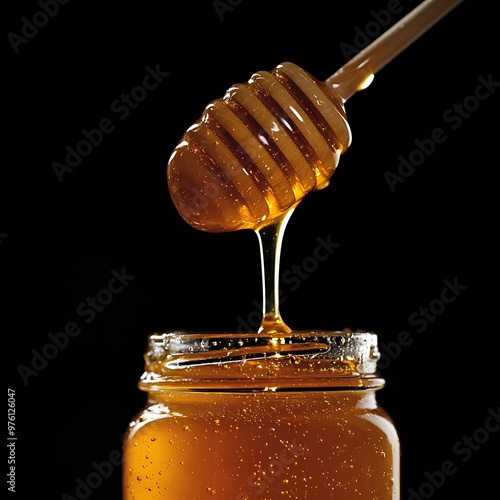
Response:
column 255, row 153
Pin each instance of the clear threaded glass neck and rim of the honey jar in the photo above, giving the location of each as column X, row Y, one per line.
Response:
column 299, row 361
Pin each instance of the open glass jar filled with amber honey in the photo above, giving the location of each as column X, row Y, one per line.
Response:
column 242, row 416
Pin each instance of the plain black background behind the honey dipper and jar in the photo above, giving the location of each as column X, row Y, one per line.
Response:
column 61, row 240
